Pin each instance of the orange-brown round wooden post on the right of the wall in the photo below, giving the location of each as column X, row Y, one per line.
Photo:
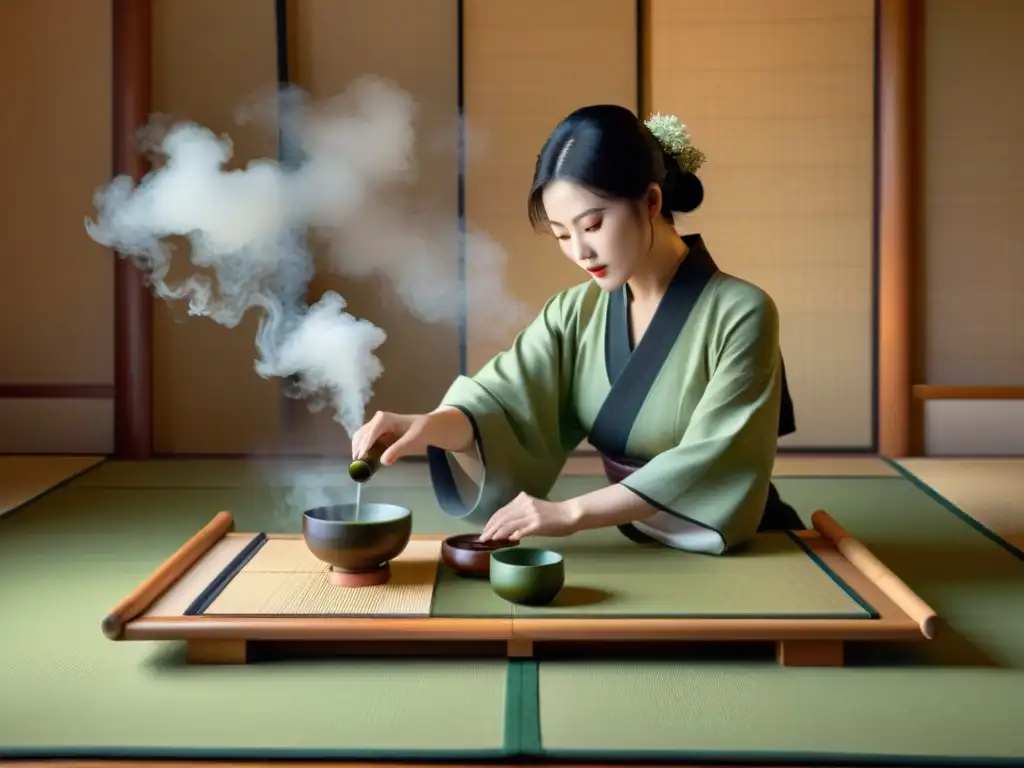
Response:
column 898, row 136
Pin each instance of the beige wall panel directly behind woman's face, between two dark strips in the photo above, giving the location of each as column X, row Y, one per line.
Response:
column 527, row 66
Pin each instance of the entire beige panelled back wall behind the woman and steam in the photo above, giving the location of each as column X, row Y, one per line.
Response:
column 786, row 124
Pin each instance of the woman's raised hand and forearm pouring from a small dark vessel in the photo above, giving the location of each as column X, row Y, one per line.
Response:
column 407, row 435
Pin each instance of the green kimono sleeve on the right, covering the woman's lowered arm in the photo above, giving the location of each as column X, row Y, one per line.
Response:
column 711, row 489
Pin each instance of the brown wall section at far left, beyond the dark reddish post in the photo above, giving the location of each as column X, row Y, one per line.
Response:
column 56, row 284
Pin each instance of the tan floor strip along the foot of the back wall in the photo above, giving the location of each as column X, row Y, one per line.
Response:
column 992, row 491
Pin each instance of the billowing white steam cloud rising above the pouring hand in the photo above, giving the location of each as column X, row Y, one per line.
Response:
column 249, row 233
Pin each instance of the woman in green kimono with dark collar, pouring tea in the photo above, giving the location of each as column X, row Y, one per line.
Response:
column 668, row 366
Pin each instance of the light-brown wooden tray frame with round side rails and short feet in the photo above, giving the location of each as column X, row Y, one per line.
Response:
column 903, row 616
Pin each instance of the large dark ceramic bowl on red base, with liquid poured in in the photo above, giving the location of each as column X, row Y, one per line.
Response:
column 336, row 537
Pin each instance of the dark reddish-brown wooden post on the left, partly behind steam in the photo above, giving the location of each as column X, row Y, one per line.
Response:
column 133, row 303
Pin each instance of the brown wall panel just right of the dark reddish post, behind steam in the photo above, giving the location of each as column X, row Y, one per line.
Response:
column 208, row 60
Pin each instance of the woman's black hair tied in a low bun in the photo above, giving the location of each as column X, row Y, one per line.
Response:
column 610, row 151
